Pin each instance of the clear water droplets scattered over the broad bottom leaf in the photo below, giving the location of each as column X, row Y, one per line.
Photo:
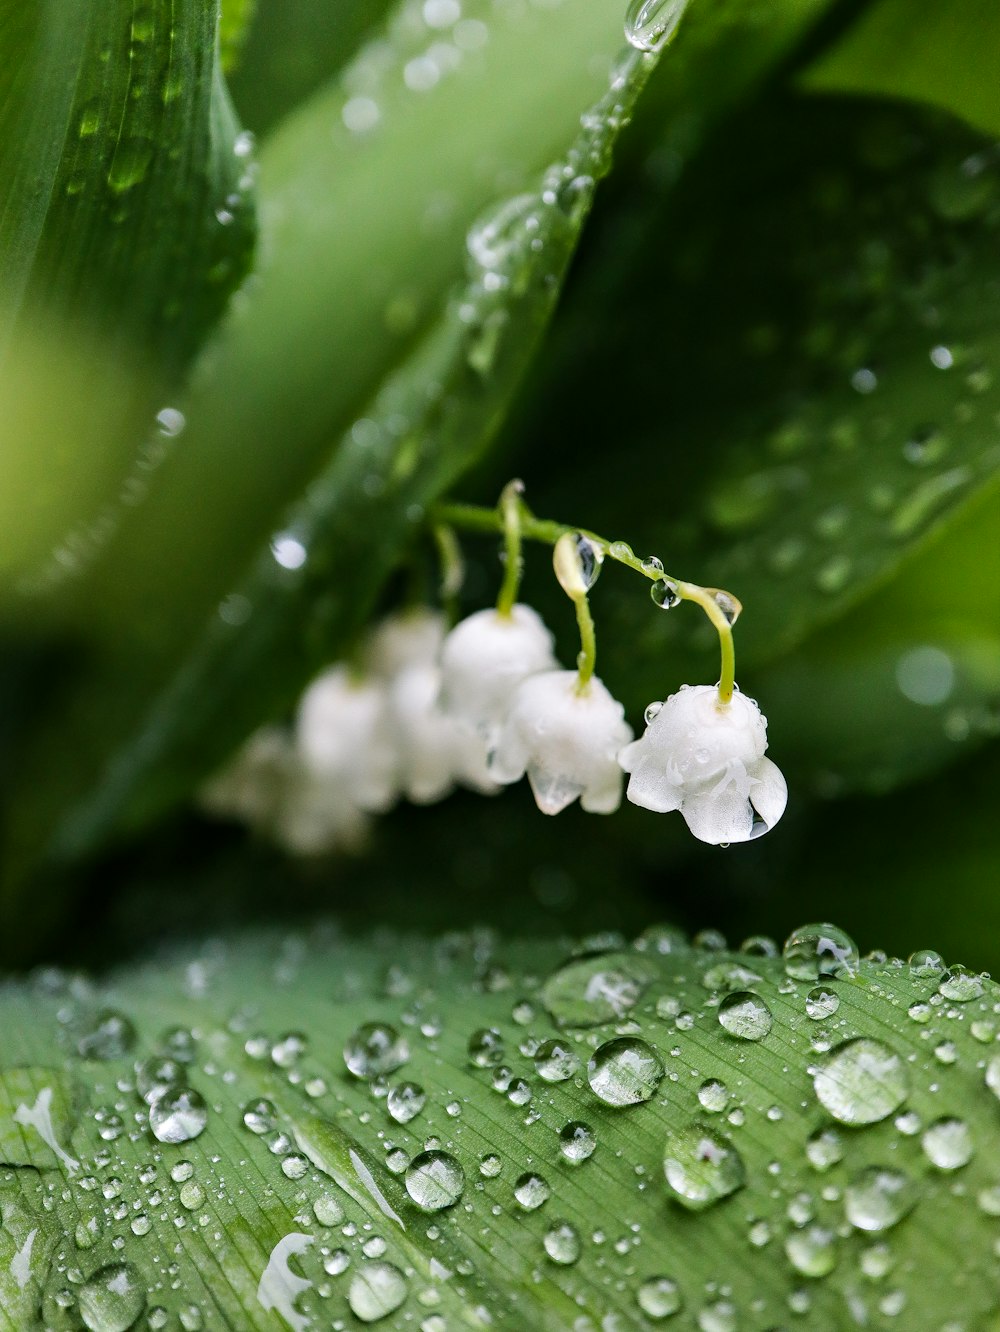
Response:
column 857, row 1082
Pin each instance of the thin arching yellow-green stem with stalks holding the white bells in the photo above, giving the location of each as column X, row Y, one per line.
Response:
column 513, row 515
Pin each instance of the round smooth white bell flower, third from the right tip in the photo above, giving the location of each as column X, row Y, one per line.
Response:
column 485, row 659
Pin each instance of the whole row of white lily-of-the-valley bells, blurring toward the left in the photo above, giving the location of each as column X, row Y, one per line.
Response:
column 483, row 707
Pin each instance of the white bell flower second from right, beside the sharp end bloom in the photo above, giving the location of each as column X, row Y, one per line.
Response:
column 568, row 743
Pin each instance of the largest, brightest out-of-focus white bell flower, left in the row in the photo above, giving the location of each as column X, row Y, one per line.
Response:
column 344, row 736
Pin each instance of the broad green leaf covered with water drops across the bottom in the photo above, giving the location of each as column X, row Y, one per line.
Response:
column 818, row 1136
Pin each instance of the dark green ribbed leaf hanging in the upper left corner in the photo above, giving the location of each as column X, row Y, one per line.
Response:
column 126, row 223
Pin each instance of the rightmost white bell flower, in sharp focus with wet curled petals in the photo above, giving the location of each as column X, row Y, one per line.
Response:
column 706, row 759
